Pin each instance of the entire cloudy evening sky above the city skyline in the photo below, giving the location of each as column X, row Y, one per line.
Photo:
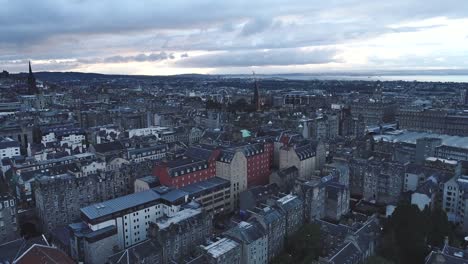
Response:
column 232, row 36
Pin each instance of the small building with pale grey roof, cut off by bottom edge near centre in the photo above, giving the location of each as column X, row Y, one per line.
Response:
column 222, row 251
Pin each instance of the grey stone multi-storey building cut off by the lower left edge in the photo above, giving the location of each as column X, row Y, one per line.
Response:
column 8, row 219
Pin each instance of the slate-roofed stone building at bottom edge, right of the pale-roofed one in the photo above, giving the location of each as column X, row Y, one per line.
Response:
column 253, row 240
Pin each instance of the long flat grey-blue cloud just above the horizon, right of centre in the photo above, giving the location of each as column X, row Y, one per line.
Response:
column 260, row 58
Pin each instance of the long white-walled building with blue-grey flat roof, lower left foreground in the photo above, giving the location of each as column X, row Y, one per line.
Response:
column 119, row 223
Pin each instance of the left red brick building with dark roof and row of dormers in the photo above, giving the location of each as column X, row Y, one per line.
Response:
column 196, row 165
